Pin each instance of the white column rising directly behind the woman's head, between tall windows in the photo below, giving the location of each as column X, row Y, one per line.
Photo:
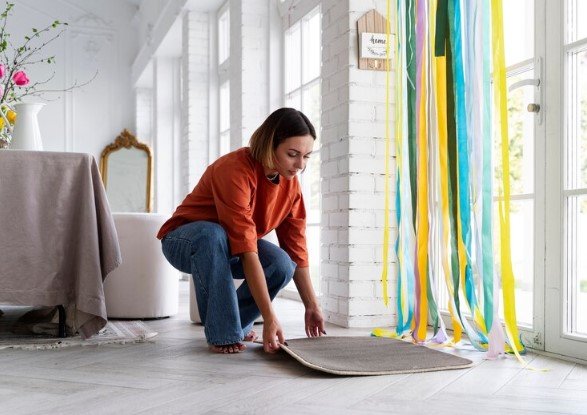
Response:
column 249, row 68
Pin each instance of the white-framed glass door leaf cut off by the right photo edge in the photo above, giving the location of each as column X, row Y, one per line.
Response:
column 566, row 183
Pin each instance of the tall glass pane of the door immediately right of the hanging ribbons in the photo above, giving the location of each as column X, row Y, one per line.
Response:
column 520, row 66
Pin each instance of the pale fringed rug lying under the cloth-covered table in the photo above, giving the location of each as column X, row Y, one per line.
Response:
column 17, row 331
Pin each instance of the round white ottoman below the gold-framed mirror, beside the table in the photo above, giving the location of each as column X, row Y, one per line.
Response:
column 145, row 285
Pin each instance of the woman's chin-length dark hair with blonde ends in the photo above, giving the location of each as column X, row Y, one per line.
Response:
column 279, row 126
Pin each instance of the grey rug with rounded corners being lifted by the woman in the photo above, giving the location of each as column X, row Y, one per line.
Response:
column 363, row 356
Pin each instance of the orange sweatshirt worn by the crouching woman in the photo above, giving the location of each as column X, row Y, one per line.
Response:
column 235, row 193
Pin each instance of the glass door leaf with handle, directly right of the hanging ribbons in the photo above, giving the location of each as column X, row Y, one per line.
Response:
column 524, row 66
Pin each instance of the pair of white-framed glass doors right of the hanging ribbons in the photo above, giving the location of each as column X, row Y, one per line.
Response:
column 546, row 63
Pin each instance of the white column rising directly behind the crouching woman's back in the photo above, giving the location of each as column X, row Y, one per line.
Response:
column 194, row 148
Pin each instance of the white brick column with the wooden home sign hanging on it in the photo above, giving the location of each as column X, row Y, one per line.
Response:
column 353, row 166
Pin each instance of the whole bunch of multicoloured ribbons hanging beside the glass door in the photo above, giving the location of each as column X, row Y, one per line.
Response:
column 444, row 196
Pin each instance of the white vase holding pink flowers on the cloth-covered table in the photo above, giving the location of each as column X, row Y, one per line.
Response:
column 26, row 134
